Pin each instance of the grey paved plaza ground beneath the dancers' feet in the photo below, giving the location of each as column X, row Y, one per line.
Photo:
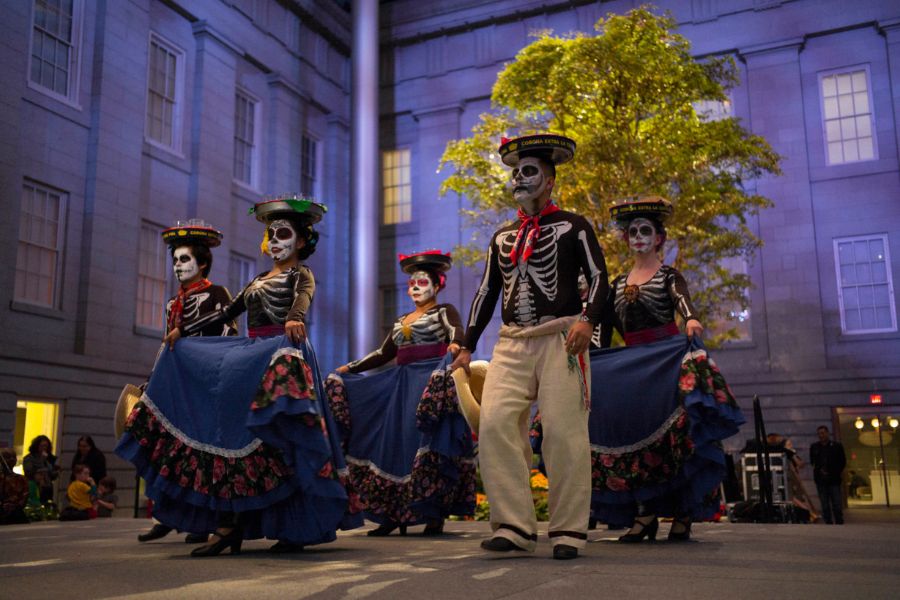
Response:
column 102, row 559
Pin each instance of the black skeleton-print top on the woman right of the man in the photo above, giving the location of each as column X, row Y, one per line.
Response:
column 652, row 304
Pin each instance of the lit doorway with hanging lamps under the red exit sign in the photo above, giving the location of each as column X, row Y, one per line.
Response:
column 872, row 443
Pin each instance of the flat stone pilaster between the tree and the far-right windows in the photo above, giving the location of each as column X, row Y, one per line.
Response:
column 793, row 307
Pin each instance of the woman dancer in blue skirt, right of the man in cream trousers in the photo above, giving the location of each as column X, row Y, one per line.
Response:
column 656, row 425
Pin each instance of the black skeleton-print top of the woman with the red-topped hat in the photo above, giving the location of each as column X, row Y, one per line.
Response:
column 440, row 323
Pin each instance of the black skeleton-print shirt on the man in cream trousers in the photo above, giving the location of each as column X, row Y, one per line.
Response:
column 546, row 286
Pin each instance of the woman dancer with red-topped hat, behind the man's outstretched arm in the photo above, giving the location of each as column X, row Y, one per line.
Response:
column 408, row 446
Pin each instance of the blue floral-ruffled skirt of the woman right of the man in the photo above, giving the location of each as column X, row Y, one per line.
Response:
column 658, row 414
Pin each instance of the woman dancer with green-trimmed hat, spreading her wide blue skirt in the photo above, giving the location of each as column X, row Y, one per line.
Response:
column 236, row 436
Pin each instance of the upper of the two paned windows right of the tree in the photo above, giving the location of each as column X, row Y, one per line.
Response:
column 847, row 112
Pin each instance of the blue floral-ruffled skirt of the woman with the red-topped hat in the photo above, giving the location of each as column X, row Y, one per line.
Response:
column 408, row 446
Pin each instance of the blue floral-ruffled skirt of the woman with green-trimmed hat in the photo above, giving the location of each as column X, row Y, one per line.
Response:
column 240, row 425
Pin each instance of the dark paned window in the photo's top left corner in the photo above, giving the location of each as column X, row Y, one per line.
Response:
column 54, row 53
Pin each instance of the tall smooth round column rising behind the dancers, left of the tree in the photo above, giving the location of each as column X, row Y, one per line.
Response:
column 364, row 212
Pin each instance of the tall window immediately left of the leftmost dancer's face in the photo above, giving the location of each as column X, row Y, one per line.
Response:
column 153, row 269
